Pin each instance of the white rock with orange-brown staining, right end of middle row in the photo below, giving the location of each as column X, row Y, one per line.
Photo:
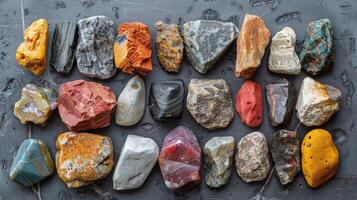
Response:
column 316, row 102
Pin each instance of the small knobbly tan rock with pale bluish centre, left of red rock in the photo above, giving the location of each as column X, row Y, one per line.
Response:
column 36, row 104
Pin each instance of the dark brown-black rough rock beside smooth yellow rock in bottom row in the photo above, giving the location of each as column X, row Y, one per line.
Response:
column 285, row 151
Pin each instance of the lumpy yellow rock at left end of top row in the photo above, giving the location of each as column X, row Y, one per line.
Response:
column 31, row 54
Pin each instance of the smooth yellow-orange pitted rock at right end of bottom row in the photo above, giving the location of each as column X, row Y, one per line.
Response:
column 320, row 157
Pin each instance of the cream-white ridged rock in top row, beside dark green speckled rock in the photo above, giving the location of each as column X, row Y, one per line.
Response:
column 283, row 58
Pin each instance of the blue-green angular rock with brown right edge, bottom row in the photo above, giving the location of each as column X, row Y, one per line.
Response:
column 32, row 163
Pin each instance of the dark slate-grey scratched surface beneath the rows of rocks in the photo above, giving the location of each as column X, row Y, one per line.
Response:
column 276, row 13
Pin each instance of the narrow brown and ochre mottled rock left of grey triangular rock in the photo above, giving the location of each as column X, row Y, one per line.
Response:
column 169, row 46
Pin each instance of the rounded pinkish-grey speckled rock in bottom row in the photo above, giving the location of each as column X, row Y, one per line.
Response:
column 252, row 159
